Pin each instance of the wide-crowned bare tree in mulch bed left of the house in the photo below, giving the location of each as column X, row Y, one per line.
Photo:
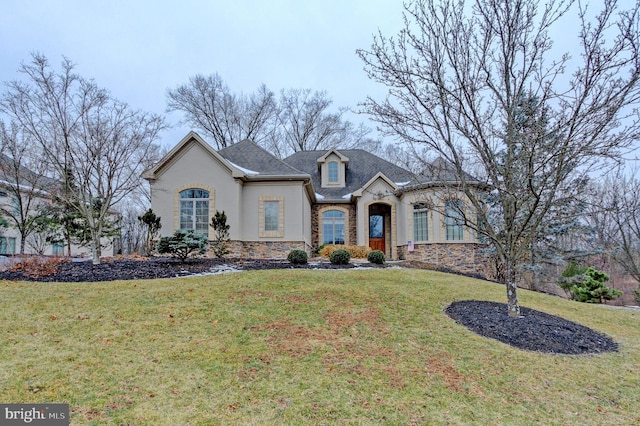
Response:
column 95, row 145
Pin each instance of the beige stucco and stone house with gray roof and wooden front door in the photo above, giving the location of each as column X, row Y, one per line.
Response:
column 312, row 198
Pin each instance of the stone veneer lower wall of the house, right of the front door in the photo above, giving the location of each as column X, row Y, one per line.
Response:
column 468, row 259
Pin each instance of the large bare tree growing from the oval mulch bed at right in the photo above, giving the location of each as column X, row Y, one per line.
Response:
column 460, row 77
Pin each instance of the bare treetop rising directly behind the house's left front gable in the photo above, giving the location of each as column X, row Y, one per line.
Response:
column 208, row 105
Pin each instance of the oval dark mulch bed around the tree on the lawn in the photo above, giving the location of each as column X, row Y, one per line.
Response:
column 533, row 331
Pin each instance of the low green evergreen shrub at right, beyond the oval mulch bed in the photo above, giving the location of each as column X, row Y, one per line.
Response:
column 587, row 284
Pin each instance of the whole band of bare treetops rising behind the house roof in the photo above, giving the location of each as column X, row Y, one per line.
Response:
column 299, row 120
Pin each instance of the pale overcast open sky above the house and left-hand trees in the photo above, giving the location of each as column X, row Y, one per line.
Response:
column 137, row 49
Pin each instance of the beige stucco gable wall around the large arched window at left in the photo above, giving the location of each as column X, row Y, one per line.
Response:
column 194, row 167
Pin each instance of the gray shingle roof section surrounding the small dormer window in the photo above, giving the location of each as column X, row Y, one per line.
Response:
column 362, row 167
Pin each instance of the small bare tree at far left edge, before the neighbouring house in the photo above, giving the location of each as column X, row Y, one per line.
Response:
column 22, row 176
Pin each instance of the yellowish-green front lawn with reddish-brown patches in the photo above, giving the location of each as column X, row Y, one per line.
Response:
column 302, row 347
